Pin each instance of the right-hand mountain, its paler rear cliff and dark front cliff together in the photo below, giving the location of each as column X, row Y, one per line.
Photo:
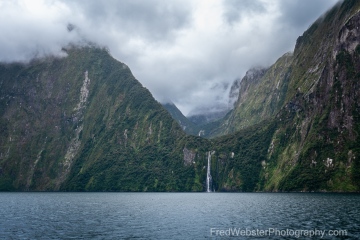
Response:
column 312, row 97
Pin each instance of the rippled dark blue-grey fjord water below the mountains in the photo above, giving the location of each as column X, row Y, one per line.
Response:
column 178, row 215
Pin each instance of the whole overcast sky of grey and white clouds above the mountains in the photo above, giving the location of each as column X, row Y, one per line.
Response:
column 185, row 51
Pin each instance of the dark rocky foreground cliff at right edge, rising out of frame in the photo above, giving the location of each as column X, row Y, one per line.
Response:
column 317, row 144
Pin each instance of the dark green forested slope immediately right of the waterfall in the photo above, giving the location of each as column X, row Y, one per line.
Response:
column 240, row 157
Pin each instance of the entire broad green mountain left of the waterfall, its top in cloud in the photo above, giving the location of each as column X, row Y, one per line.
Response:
column 84, row 123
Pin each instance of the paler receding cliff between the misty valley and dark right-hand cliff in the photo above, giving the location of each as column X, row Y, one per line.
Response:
column 261, row 95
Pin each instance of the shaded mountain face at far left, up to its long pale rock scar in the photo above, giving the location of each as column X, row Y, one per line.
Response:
column 42, row 113
